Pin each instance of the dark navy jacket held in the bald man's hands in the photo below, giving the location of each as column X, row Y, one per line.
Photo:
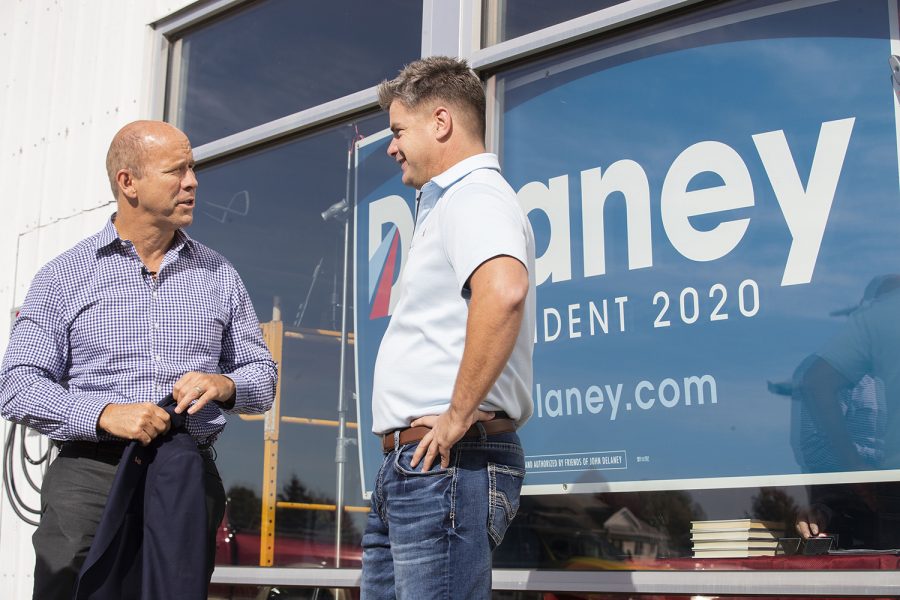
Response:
column 151, row 542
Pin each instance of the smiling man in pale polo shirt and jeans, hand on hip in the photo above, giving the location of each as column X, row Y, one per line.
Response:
column 453, row 374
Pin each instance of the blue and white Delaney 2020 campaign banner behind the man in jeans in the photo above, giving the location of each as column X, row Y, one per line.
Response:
column 713, row 200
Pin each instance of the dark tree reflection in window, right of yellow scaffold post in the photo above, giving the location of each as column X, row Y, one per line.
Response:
column 310, row 524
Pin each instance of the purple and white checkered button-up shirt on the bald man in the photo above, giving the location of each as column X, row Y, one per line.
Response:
column 96, row 329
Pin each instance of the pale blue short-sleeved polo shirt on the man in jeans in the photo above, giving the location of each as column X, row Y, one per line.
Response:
column 467, row 215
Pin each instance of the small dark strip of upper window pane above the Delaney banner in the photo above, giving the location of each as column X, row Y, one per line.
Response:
column 505, row 20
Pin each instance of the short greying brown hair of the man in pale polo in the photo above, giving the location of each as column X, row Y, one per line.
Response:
column 440, row 78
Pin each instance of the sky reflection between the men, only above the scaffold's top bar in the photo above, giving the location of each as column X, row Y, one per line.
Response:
column 278, row 243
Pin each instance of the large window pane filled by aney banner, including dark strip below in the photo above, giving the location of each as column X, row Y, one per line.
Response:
column 725, row 360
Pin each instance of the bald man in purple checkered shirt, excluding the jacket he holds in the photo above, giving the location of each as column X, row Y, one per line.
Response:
column 114, row 324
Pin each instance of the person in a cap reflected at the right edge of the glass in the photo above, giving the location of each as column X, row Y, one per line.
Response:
column 845, row 386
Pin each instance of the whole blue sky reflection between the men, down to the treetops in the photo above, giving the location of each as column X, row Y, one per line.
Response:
column 275, row 247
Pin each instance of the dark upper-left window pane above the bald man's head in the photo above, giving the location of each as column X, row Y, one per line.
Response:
column 277, row 57
